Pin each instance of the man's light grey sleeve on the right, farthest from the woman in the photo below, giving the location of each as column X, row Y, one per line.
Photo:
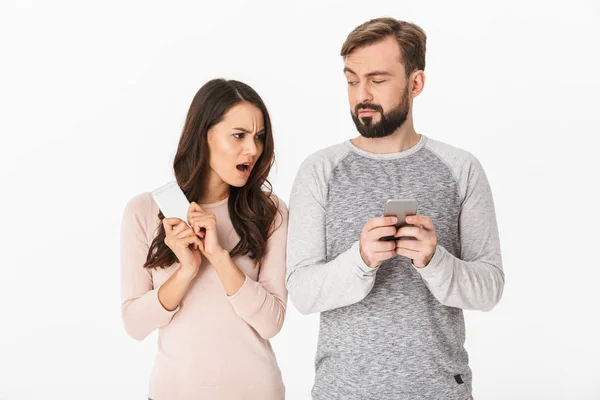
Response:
column 475, row 281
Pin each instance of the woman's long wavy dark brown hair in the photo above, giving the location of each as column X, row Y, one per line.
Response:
column 252, row 208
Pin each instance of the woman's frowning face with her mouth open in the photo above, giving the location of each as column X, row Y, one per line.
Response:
column 236, row 143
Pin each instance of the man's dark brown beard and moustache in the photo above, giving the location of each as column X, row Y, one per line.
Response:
column 388, row 123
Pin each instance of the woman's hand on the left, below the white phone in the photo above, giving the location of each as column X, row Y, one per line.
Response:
column 182, row 240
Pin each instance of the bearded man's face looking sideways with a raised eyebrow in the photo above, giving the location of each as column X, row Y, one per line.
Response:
column 377, row 88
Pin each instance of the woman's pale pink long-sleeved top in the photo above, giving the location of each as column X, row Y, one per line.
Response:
column 213, row 346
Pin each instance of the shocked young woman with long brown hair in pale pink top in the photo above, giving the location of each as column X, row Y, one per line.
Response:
column 214, row 285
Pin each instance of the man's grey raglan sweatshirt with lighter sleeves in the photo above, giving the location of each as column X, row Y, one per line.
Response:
column 394, row 332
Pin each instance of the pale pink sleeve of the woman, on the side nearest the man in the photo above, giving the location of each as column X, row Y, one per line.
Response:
column 262, row 304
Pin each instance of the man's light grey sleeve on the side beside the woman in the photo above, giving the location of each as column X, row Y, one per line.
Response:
column 316, row 284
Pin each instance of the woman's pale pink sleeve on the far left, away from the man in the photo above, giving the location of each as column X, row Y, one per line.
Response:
column 141, row 310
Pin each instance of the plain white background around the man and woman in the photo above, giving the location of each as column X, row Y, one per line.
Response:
column 93, row 96
